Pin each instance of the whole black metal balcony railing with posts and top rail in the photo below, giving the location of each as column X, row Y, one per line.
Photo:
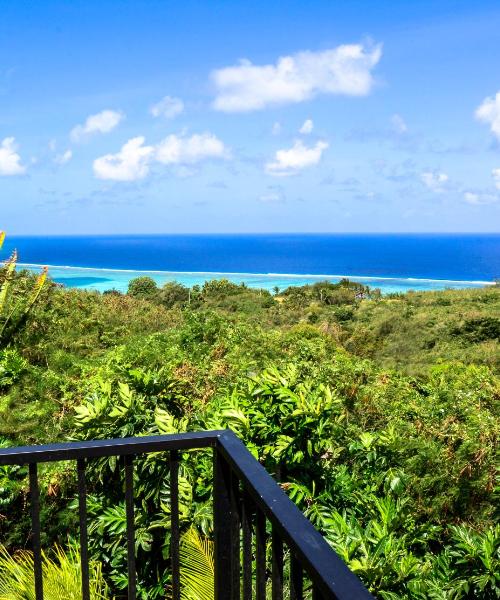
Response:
column 247, row 504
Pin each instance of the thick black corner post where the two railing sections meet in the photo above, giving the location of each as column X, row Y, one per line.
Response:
column 224, row 576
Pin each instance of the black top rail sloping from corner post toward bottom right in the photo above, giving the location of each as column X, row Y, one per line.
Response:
column 325, row 568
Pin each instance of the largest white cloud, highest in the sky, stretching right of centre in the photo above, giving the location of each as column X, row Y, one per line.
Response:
column 345, row 70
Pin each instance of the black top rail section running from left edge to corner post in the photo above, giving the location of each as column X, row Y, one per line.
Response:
column 114, row 447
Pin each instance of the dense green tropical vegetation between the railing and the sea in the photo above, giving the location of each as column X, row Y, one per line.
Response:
column 378, row 415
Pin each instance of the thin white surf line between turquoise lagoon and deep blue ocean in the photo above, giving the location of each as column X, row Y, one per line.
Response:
column 273, row 275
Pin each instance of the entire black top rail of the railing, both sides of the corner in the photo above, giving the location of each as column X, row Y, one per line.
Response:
column 327, row 571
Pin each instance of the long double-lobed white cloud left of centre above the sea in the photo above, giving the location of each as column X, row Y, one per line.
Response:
column 134, row 160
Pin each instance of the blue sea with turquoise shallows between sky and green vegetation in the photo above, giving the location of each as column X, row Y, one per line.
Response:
column 393, row 262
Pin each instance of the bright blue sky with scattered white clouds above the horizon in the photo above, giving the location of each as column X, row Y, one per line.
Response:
column 157, row 116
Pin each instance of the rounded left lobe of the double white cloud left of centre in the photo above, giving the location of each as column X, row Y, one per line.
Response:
column 130, row 164
